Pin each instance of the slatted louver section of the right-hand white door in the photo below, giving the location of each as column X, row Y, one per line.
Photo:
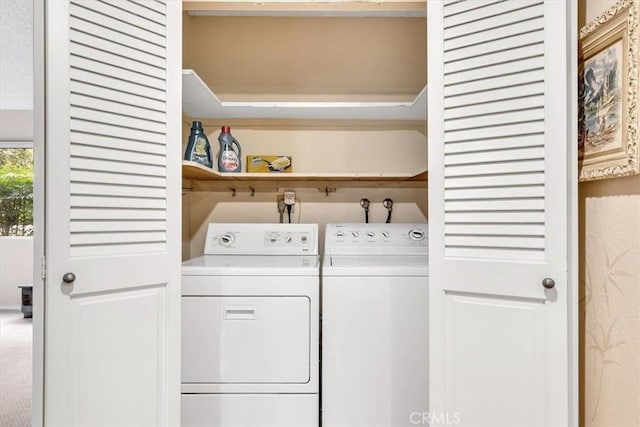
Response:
column 494, row 128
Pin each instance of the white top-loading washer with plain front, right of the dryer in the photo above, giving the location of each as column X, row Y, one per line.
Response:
column 375, row 325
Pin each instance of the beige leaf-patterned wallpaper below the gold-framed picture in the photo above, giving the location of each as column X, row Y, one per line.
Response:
column 611, row 307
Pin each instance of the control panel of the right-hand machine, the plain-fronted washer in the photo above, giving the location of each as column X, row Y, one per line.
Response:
column 376, row 239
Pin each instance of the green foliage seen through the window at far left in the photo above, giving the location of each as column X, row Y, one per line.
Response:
column 16, row 192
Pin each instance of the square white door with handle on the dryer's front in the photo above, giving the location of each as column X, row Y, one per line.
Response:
column 246, row 339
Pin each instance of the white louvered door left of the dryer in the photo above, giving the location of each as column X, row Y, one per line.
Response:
column 113, row 149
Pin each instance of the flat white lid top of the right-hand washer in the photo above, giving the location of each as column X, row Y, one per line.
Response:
column 376, row 265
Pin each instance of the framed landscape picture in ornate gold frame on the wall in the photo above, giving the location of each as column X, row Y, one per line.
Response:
column 608, row 94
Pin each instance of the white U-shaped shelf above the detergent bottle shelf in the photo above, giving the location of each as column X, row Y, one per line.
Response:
column 198, row 101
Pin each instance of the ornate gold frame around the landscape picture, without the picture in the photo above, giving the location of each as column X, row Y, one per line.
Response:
column 619, row 24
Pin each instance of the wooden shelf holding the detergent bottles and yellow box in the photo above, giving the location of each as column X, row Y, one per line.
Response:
column 195, row 171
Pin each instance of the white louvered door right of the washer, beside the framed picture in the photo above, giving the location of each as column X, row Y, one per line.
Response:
column 501, row 209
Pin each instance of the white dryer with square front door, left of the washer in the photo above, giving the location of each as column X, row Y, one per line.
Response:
column 250, row 327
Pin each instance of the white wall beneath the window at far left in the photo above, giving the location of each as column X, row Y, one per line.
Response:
column 16, row 268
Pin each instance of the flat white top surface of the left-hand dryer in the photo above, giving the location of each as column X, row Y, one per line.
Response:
column 251, row 265
